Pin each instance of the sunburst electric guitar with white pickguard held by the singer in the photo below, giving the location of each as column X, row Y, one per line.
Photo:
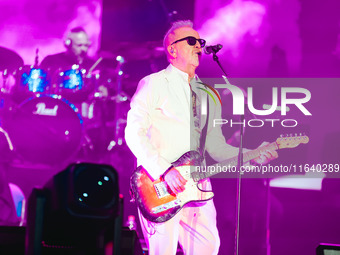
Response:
column 158, row 203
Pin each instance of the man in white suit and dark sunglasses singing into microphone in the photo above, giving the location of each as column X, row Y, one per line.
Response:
column 165, row 122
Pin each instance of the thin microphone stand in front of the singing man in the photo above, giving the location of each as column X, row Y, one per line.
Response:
column 239, row 165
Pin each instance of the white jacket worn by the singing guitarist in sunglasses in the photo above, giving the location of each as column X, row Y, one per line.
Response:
column 160, row 124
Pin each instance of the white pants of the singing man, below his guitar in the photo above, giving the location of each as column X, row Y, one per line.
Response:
column 194, row 227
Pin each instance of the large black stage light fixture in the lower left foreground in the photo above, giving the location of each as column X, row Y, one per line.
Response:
column 72, row 213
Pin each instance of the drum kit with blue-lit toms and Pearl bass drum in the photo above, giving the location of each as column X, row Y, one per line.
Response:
column 54, row 119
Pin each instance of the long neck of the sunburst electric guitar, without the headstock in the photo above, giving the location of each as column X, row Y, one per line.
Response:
column 247, row 156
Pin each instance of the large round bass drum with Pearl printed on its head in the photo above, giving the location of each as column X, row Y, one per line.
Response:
column 46, row 129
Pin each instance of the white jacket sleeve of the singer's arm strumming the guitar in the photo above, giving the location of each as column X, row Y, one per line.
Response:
column 138, row 123
